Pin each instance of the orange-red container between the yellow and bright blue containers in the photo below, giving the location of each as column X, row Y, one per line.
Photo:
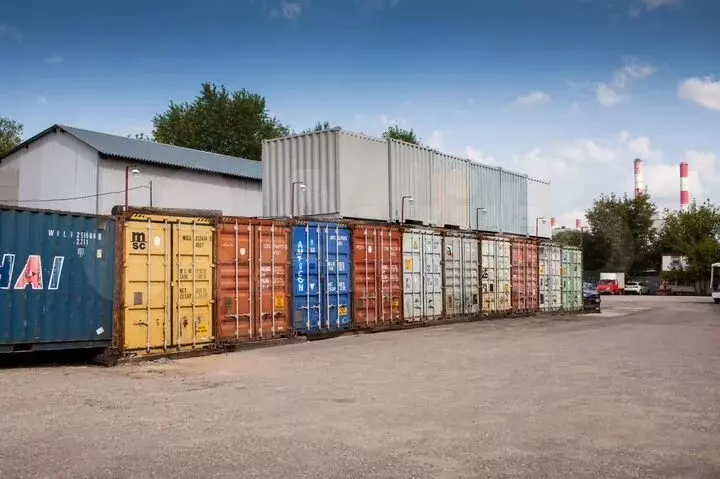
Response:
column 253, row 280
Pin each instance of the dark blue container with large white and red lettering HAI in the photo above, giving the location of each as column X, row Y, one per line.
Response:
column 56, row 280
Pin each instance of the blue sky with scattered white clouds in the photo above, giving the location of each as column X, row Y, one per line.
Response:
column 570, row 91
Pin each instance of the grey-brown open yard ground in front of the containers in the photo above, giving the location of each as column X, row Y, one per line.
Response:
column 632, row 392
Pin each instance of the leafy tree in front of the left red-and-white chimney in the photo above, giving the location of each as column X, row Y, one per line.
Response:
column 622, row 232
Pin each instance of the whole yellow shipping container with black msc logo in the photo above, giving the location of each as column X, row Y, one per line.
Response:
column 167, row 281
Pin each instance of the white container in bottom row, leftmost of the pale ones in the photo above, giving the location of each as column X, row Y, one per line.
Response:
column 422, row 275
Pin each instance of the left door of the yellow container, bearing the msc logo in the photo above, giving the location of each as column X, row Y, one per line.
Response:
column 148, row 261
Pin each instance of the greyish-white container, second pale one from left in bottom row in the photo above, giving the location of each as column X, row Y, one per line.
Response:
column 461, row 275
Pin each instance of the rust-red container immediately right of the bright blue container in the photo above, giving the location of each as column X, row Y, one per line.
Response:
column 377, row 276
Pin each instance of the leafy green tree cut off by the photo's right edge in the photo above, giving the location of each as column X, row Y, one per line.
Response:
column 695, row 234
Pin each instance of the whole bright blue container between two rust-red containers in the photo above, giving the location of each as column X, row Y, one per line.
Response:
column 322, row 295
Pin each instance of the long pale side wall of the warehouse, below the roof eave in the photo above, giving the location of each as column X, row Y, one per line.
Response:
column 178, row 188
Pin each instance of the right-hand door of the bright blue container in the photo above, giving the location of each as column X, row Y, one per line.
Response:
column 336, row 271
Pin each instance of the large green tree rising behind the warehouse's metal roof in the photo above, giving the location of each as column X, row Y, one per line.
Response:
column 230, row 123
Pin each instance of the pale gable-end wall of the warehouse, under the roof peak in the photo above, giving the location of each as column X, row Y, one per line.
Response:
column 54, row 168
